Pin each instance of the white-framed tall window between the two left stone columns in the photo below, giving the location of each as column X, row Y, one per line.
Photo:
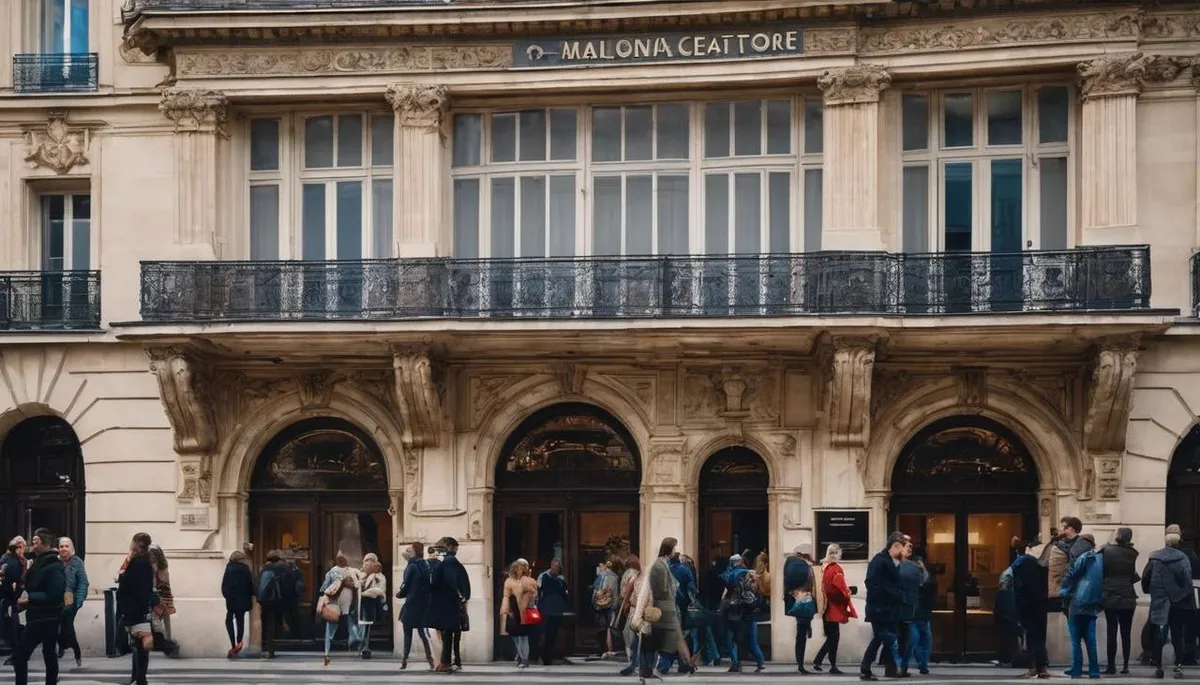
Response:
column 321, row 187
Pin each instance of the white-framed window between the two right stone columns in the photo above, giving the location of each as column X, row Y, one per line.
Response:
column 986, row 170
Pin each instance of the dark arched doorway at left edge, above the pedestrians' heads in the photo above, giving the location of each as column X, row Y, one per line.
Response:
column 43, row 480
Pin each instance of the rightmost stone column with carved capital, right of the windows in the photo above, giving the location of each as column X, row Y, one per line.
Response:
column 1111, row 87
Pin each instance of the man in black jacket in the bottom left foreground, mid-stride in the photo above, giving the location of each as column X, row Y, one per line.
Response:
column 43, row 603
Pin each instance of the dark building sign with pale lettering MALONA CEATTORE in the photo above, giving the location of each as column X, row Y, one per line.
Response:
column 707, row 46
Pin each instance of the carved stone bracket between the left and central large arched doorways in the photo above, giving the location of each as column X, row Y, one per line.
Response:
column 418, row 396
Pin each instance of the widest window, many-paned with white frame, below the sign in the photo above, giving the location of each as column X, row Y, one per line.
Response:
column 680, row 178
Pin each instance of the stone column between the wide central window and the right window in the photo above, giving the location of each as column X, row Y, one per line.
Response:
column 851, row 190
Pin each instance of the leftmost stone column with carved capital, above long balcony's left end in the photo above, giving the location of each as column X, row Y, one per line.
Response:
column 201, row 121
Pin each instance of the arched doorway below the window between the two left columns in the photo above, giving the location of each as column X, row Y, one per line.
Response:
column 321, row 489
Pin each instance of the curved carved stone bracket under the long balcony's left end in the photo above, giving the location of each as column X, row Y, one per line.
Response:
column 187, row 399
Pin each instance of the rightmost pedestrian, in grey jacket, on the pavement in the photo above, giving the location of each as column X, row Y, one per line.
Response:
column 1168, row 580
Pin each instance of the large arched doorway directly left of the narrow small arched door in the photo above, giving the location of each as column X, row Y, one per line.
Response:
column 567, row 488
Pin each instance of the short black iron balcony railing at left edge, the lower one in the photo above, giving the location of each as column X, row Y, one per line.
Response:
column 50, row 301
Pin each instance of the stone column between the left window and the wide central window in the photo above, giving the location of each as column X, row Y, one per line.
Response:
column 422, row 169
